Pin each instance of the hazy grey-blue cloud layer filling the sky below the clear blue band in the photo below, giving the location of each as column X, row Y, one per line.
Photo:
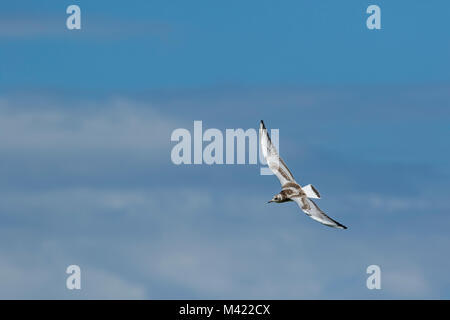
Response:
column 89, row 181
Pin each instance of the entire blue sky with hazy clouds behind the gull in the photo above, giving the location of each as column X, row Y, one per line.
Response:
column 86, row 176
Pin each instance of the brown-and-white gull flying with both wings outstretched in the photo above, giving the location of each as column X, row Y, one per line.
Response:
column 290, row 189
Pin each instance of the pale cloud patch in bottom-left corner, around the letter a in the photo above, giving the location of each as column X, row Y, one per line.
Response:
column 29, row 276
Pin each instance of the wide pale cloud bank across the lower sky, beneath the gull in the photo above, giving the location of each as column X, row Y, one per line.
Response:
column 203, row 245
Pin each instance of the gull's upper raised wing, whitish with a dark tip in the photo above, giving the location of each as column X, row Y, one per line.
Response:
column 274, row 161
